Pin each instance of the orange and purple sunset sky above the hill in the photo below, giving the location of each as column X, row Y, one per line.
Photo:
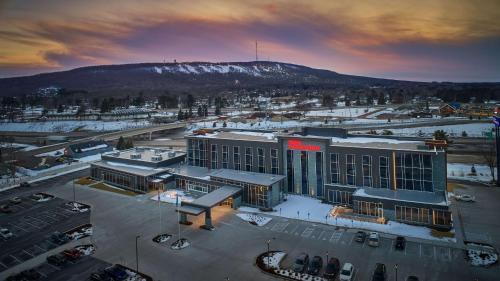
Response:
column 447, row 40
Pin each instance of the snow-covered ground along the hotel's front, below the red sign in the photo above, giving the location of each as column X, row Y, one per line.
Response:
column 309, row 209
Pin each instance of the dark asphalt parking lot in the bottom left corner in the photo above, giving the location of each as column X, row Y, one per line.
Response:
column 31, row 224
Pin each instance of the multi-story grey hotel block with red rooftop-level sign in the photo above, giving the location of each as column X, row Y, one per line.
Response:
column 379, row 177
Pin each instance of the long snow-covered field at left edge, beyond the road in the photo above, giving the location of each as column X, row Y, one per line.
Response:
column 69, row 126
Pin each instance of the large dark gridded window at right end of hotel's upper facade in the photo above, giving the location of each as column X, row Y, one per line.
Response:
column 414, row 171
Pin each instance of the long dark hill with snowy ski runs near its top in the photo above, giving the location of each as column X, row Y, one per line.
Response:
column 195, row 77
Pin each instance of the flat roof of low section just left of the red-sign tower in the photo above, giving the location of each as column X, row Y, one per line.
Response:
column 248, row 177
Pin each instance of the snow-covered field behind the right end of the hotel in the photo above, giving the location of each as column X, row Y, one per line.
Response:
column 472, row 130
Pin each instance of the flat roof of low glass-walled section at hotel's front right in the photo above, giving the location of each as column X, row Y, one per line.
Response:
column 403, row 195
